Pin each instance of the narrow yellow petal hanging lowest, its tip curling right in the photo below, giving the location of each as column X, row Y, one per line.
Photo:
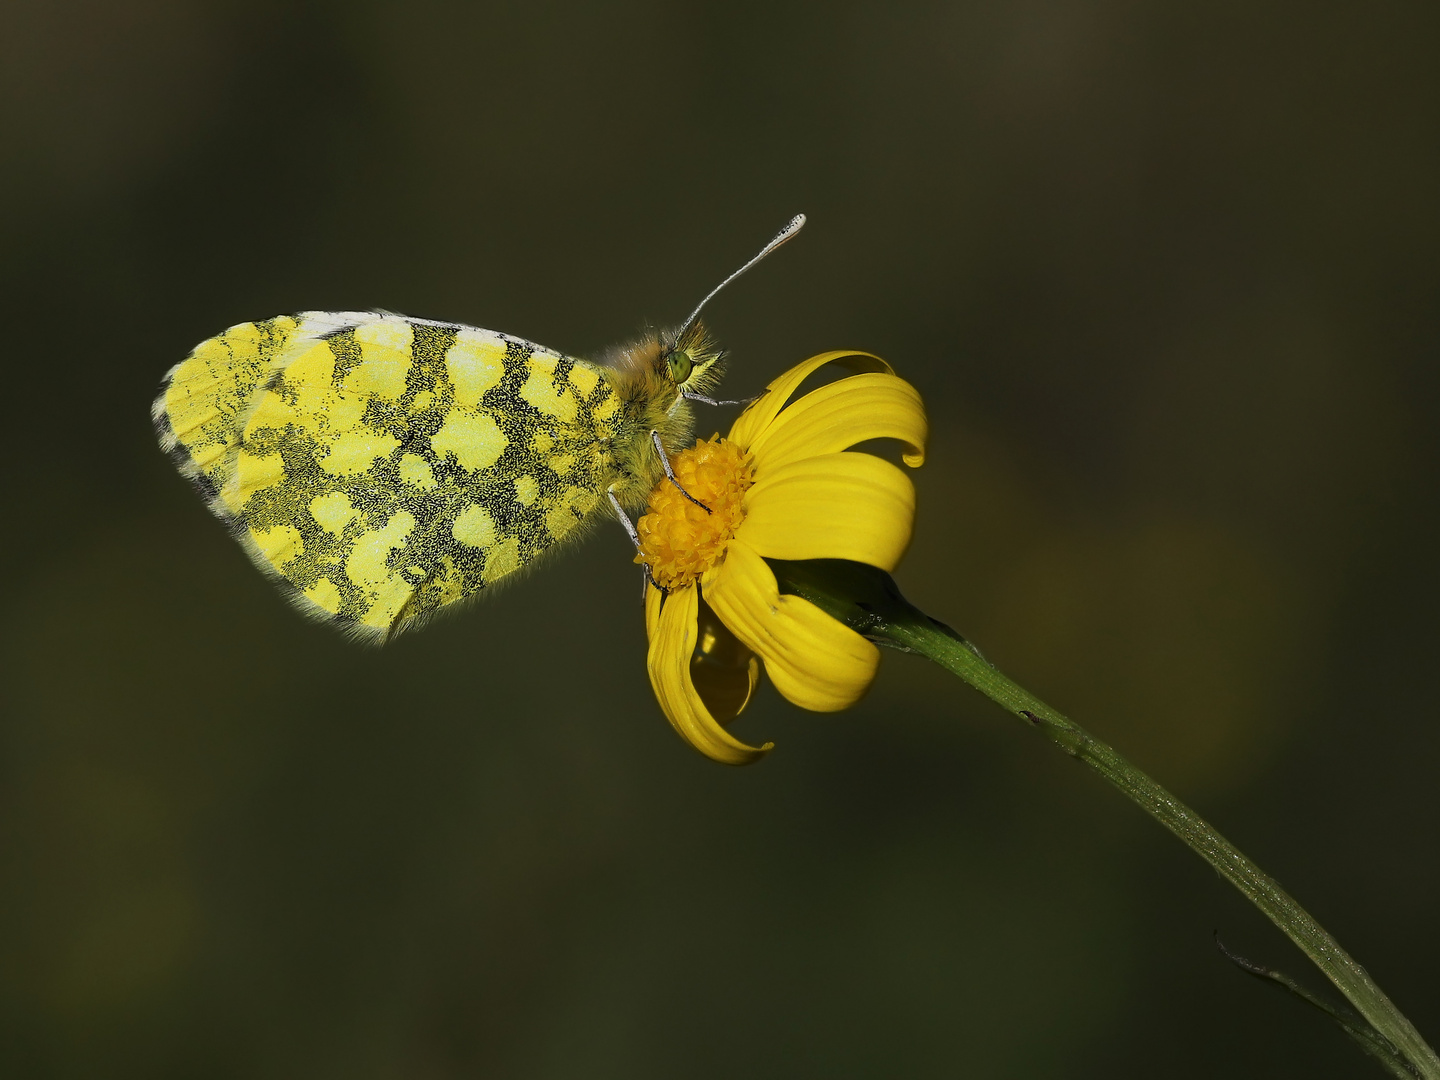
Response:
column 672, row 626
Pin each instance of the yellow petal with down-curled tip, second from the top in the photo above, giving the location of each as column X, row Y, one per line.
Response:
column 840, row 415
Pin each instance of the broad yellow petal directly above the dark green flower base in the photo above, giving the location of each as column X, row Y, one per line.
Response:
column 836, row 506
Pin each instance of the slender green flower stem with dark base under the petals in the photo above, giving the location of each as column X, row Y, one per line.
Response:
column 869, row 601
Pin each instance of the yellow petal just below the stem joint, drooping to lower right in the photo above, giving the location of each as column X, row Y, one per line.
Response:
column 814, row 660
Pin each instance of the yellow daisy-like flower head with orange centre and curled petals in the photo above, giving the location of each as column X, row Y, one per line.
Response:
column 783, row 486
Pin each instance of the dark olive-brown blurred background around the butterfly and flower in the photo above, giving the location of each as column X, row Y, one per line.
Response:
column 1167, row 279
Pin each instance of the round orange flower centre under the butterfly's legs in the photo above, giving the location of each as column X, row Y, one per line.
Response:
column 679, row 539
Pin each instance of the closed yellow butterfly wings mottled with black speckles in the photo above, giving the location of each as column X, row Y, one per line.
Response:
column 385, row 467
